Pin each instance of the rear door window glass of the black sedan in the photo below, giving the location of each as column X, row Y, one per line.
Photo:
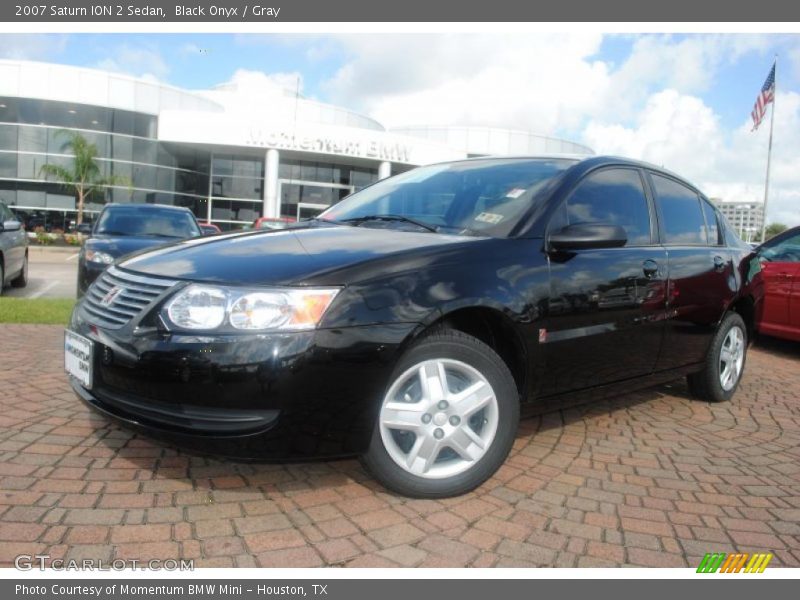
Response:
column 682, row 217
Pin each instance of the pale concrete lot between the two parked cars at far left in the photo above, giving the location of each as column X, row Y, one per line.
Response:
column 52, row 274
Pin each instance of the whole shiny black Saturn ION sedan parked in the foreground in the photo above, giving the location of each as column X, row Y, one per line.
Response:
column 412, row 323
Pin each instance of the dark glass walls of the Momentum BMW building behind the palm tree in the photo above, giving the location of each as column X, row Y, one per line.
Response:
column 223, row 187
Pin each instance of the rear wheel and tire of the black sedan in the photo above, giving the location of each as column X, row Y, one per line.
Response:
column 720, row 378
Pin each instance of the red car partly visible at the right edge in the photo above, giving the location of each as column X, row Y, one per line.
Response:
column 780, row 264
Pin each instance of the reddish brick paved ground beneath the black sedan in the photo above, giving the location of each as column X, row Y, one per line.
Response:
column 651, row 479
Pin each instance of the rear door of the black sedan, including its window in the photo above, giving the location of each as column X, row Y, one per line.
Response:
column 701, row 272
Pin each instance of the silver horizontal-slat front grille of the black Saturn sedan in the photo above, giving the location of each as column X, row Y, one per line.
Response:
column 117, row 297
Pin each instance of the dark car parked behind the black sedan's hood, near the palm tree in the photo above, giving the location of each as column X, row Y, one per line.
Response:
column 127, row 228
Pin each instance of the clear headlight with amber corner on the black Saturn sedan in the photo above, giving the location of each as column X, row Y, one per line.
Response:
column 210, row 307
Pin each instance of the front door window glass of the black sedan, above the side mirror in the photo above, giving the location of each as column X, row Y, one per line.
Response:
column 614, row 196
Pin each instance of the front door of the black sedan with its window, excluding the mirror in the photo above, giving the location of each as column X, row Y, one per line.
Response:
column 605, row 314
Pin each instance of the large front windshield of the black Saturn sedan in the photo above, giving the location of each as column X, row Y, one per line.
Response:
column 478, row 197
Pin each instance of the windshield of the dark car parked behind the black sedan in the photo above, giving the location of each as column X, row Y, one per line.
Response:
column 153, row 221
